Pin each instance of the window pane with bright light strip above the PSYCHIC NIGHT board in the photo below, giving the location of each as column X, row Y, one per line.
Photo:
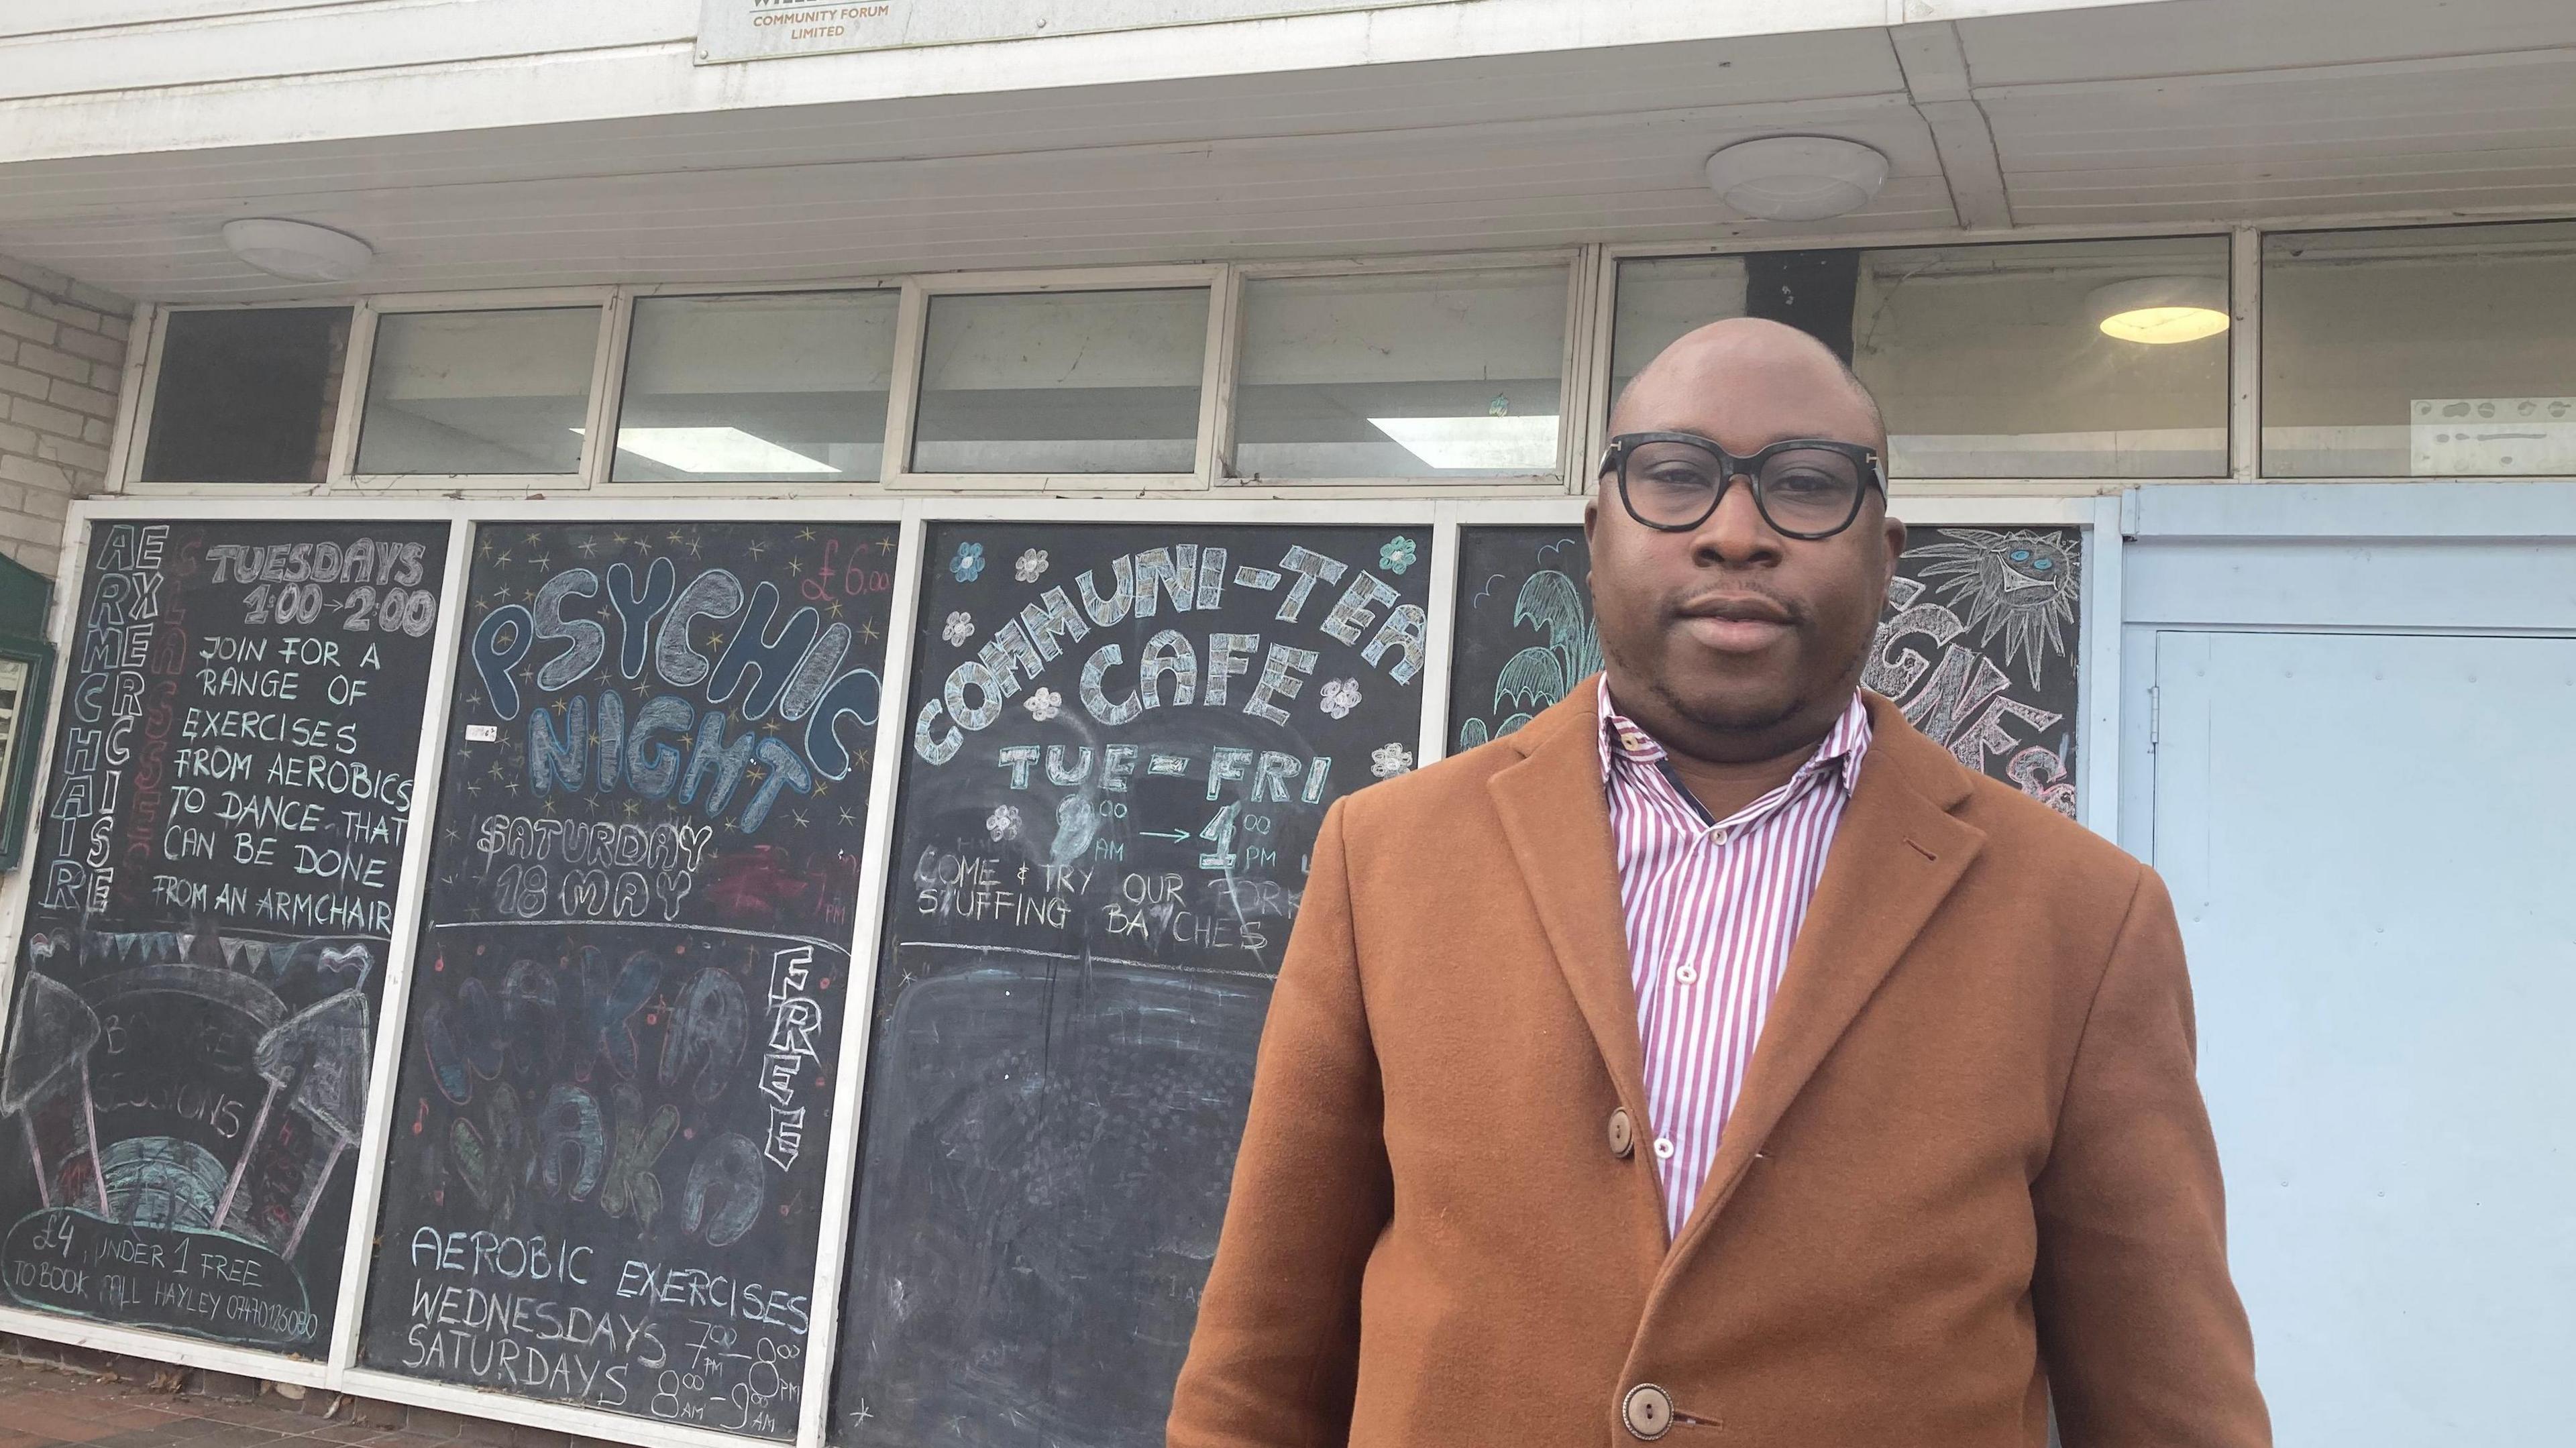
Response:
column 756, row 388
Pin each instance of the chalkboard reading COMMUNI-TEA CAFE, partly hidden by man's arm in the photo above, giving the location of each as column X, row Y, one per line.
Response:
column 1122, row 748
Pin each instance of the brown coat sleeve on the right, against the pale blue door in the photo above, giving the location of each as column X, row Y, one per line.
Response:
column 2139, row 1323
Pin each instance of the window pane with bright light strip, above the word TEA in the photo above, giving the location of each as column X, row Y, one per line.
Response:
column 1428, row 375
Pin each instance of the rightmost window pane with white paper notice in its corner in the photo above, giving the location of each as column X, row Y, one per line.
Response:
column 2420, row 354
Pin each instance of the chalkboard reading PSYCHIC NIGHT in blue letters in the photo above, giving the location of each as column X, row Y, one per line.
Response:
column 620, row 1060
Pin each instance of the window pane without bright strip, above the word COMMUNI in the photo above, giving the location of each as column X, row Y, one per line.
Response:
column 1063, row 383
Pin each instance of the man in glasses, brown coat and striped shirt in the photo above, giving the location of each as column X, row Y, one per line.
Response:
column 1717, row 1058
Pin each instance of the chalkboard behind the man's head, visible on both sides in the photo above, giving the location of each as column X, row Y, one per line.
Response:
column 1977, row 648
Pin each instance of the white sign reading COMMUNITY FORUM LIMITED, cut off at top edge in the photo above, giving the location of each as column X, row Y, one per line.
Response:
column 772, row 30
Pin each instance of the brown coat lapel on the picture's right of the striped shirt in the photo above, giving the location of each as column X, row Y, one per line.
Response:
column 1897, row 857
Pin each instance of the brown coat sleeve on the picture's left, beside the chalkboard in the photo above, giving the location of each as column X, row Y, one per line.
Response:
column 1276, row 1351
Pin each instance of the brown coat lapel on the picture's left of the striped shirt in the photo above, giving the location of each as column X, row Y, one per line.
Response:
column 1557, row 821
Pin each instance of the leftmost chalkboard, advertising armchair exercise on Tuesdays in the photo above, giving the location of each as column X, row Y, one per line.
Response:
column 207, row 924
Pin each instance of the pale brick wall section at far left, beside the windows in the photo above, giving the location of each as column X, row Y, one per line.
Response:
column 63, row 352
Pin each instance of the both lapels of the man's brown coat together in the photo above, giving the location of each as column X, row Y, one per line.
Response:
column 1897, row 857
